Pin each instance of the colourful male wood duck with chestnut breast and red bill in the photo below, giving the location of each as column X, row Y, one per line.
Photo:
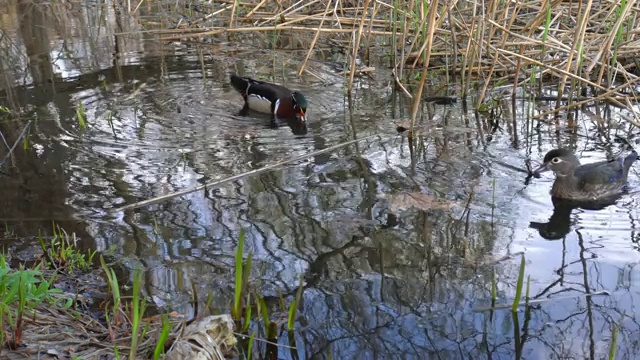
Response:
column 270, row 98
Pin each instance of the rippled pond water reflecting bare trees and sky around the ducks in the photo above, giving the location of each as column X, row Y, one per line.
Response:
column 383, row 284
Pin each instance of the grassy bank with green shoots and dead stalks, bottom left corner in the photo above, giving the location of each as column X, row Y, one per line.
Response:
column 66, row 327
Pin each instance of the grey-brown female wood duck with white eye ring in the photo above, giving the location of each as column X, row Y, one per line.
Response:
column 588, row 182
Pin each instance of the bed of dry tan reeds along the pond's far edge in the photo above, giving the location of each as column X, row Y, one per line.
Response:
column 583, row 48
